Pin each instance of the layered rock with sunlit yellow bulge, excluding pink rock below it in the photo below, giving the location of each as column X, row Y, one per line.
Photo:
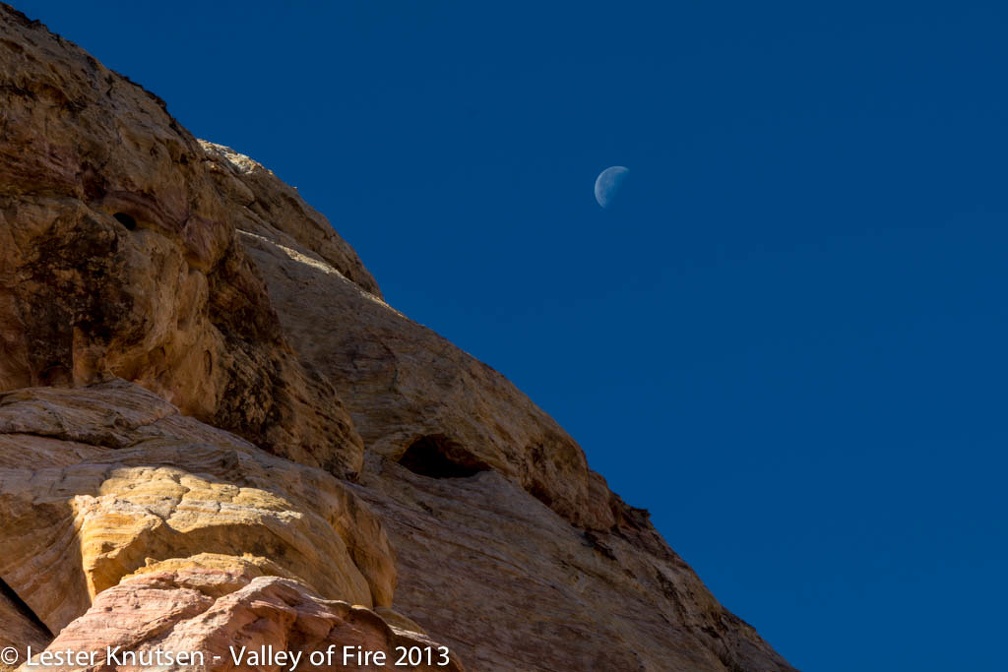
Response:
column 135, row 483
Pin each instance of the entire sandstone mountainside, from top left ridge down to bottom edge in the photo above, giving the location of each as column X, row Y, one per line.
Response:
column 171, row 315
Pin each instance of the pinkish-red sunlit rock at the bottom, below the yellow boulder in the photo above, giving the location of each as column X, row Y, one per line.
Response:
column 227, row 617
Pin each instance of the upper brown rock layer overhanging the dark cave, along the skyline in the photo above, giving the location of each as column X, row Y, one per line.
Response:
column 413, row 395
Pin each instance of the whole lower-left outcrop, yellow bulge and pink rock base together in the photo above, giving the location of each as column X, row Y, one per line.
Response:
column 125, row 524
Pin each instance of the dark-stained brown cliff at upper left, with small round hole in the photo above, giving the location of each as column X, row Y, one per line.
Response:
column 120, row 259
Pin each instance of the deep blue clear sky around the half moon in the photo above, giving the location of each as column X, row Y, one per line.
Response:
column 788, row 340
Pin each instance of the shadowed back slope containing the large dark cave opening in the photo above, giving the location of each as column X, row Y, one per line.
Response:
column 490, row 504
